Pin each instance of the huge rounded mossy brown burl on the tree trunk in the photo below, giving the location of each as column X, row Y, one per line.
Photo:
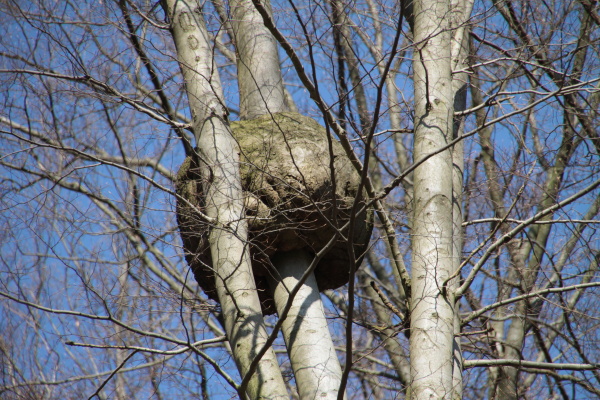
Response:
column 288, row 188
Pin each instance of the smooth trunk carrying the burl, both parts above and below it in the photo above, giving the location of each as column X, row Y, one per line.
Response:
column 316, row 368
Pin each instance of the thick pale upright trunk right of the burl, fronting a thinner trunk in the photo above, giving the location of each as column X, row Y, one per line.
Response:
column 432, row 311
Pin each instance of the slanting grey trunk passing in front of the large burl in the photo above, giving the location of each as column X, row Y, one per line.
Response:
column 219, row 153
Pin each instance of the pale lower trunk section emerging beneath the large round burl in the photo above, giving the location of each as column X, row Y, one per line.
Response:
column 310, row 347
